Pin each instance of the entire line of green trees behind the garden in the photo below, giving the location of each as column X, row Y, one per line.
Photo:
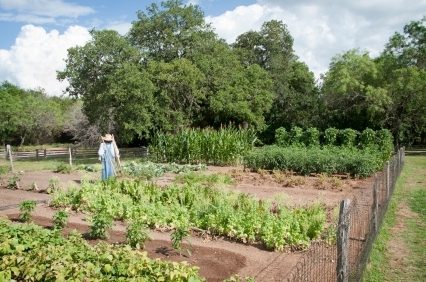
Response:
column 172, row 71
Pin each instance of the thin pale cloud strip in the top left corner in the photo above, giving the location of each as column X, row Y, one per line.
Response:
column 49, row 8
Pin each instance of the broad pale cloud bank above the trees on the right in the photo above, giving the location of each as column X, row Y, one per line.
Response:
column 324, row 28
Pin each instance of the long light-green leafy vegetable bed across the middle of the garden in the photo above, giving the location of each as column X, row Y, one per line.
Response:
column 217, row 211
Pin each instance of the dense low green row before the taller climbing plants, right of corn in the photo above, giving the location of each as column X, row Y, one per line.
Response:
column 303, row 160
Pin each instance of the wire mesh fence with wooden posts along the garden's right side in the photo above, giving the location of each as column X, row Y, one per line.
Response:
column 359, row 223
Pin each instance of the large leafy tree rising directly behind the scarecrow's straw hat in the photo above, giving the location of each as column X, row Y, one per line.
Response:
column 107, row 75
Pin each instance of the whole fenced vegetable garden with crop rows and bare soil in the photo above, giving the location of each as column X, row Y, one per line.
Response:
column 207, row 205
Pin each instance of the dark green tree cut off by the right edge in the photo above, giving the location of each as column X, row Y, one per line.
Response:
column 402, row 66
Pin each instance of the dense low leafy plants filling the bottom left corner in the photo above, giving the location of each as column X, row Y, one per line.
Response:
column 31, row 253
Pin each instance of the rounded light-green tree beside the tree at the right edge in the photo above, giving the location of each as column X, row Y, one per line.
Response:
column 350, row 91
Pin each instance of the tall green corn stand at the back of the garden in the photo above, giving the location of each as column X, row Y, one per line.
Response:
column 225, row 146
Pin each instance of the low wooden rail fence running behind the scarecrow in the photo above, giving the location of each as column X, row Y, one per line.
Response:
column 76, row 153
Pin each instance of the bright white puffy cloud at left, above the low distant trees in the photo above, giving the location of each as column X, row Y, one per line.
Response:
column 36, row 56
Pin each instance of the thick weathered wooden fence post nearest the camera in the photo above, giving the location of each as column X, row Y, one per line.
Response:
column 343, row 241
